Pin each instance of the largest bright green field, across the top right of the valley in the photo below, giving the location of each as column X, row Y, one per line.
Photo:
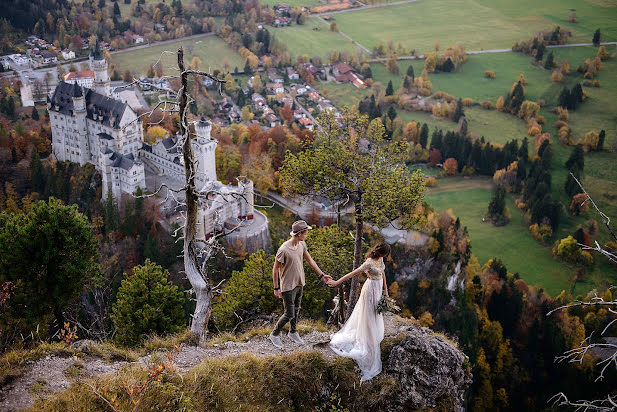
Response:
column 477, row 26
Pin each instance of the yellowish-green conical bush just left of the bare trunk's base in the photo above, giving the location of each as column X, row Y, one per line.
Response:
column 147, row 302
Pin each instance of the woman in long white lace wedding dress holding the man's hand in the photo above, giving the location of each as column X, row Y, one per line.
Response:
column 361, row 335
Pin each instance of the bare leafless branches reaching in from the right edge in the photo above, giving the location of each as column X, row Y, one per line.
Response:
column 605, row 351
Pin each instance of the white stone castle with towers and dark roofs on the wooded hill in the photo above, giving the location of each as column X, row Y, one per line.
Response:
column 90, row 126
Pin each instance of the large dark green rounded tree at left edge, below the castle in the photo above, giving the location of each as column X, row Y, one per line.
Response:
column 51, row 251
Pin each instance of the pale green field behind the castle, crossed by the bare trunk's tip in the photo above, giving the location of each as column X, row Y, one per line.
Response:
column 211, row 50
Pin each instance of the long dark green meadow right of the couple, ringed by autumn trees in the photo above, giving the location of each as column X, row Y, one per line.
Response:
column 511, row 243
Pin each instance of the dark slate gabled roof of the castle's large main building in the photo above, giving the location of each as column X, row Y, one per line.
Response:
column 100, row 108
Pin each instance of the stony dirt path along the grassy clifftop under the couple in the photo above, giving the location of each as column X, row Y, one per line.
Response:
column 54, row 373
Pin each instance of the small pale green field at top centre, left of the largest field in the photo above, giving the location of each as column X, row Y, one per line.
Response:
column 313, row 38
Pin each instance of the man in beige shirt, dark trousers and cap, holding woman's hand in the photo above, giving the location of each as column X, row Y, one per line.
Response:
column 289, row 269
